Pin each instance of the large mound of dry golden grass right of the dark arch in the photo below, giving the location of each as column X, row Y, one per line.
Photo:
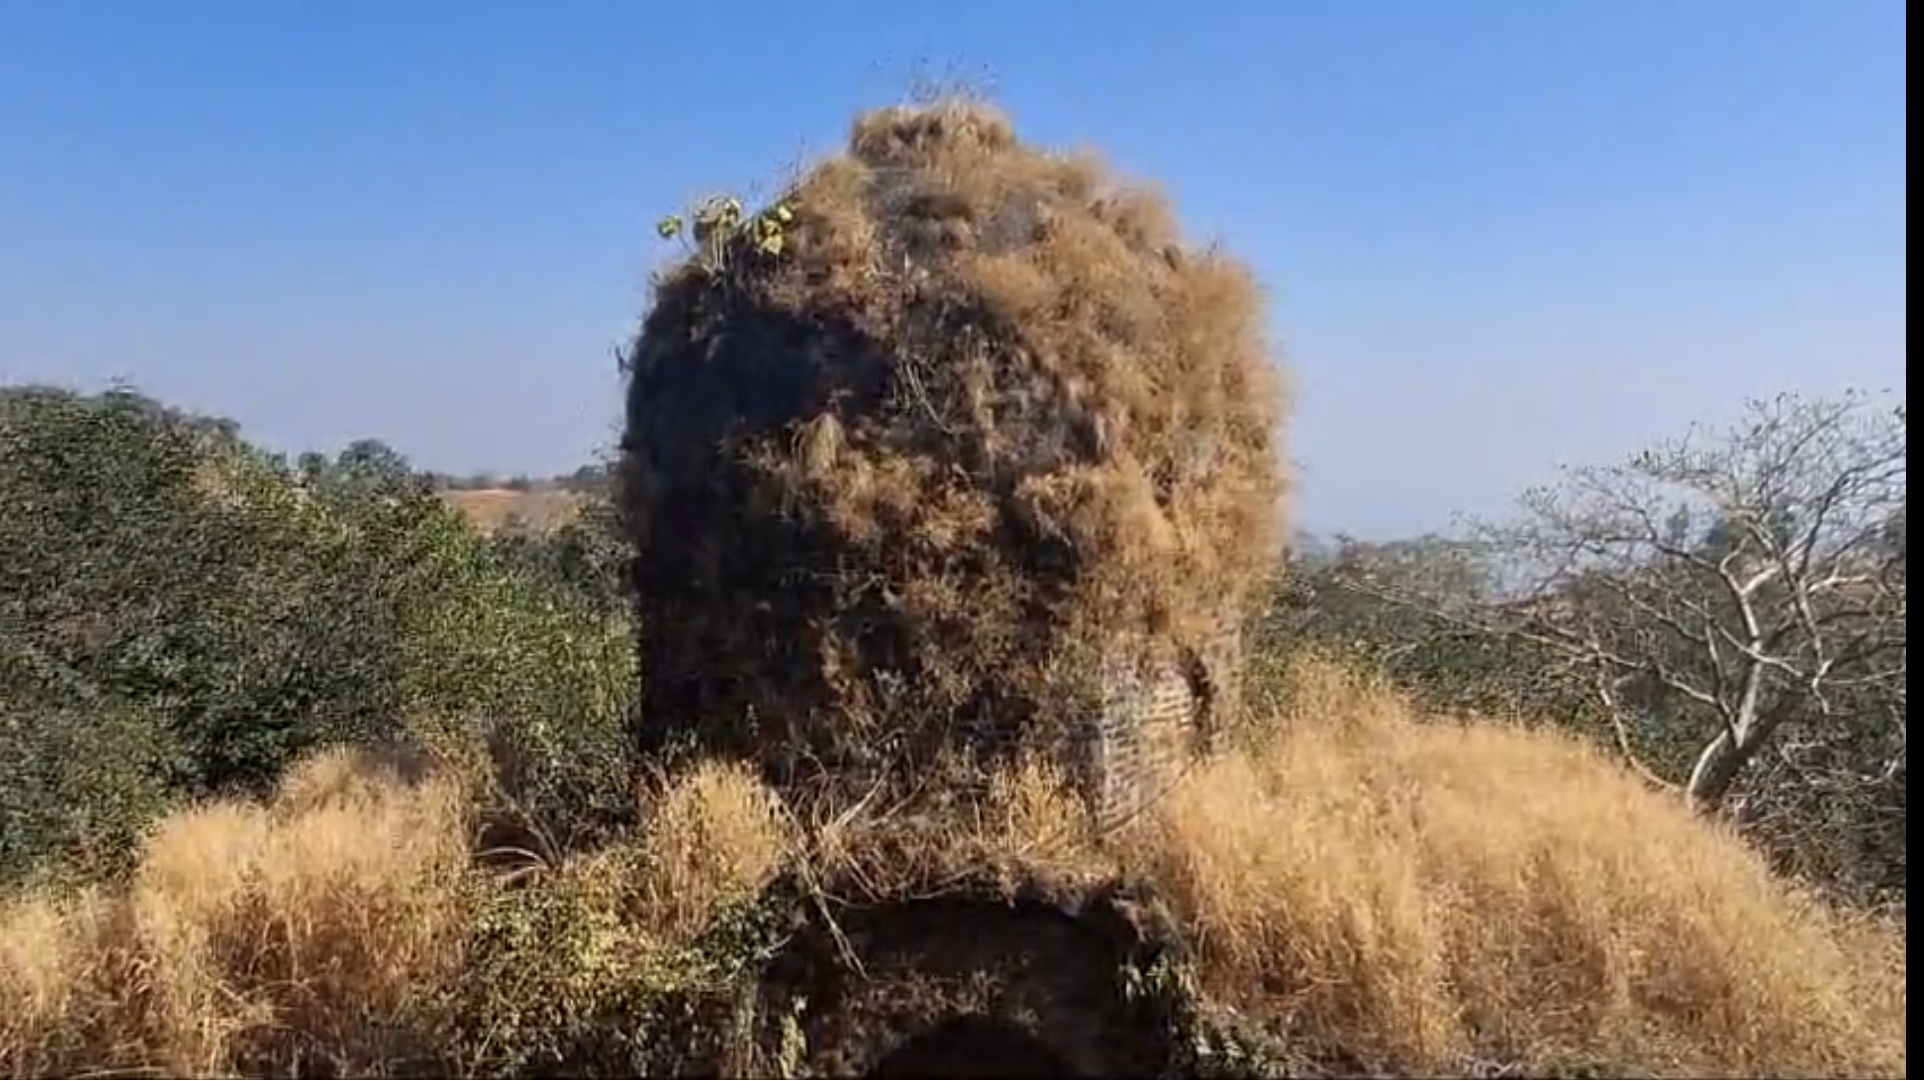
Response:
column 1430, row 896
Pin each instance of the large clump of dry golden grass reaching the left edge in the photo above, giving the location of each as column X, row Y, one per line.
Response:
column 313, row 933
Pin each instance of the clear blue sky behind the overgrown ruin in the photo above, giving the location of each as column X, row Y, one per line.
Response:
column 1500, row 234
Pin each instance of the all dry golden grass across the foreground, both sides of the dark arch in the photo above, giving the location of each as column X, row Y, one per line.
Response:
column 1390, row 894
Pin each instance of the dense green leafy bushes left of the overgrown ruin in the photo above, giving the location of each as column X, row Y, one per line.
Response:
column 184, row 615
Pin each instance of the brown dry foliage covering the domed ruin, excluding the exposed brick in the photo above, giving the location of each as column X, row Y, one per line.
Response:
column 982, row 424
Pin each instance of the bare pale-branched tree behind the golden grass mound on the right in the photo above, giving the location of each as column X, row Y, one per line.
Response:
column 1752, row 580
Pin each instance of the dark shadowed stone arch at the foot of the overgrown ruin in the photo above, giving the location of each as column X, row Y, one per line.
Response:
column 1028, row 987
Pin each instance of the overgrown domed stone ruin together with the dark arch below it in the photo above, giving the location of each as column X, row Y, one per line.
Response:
column 953, row 457
